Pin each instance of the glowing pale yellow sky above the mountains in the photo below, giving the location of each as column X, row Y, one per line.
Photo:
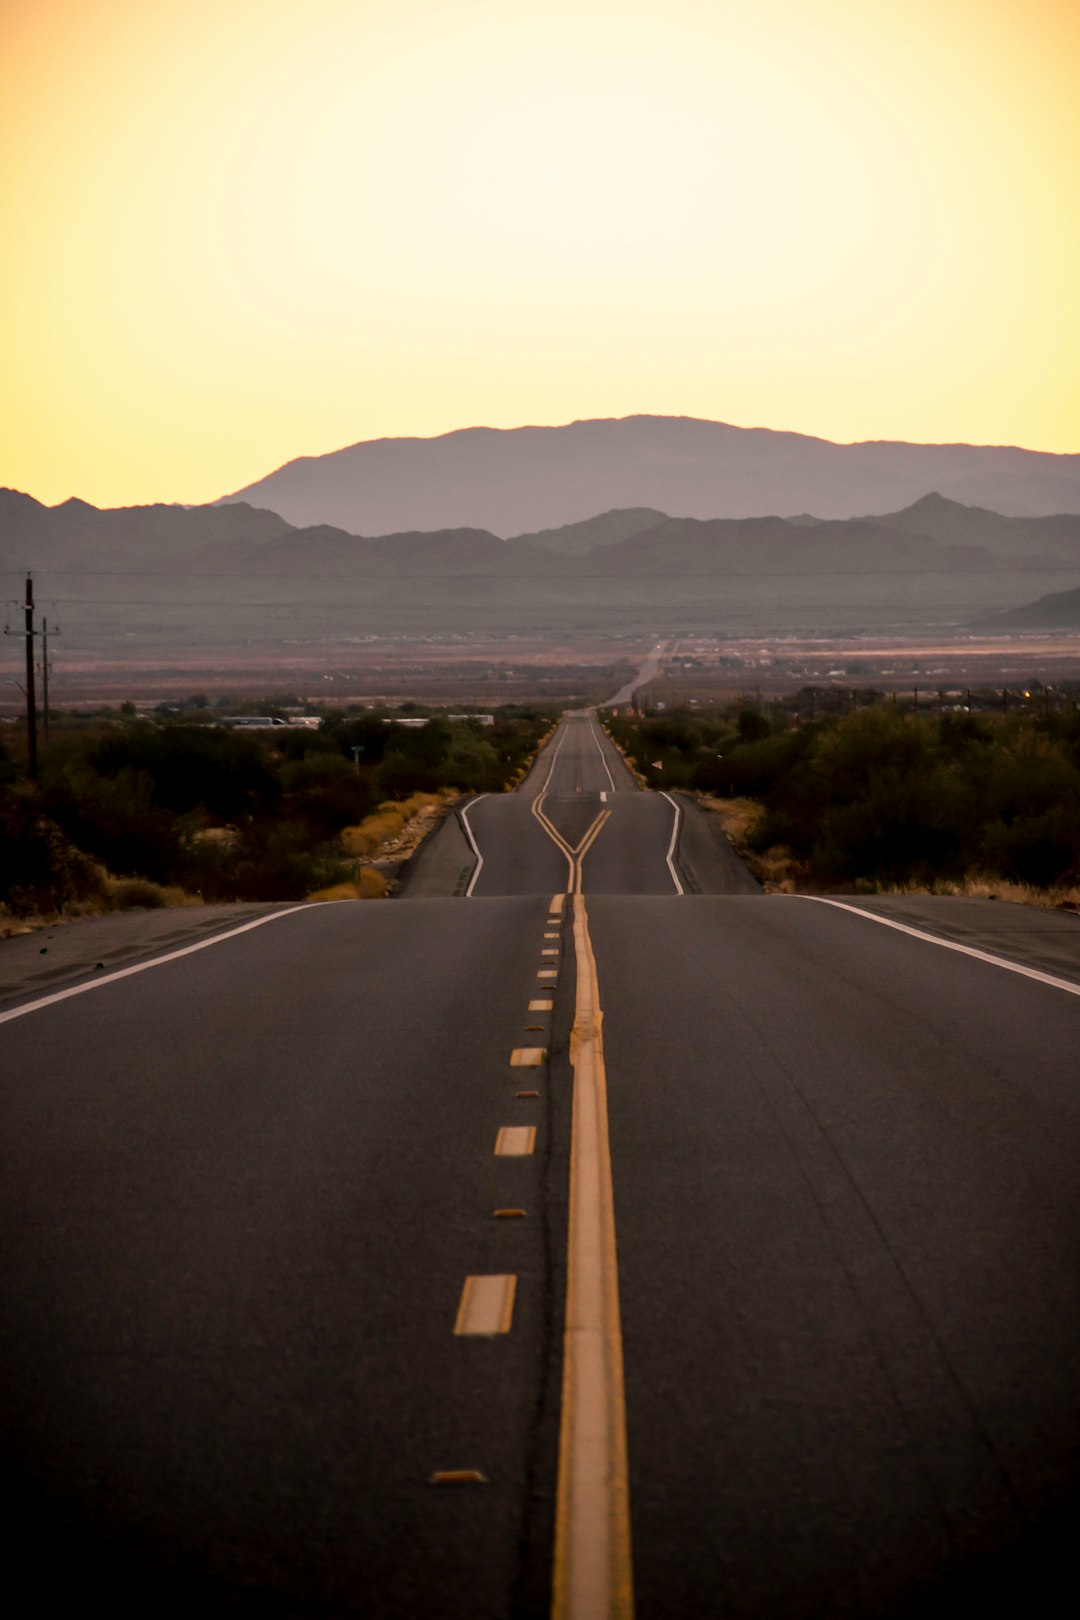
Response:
column 244, row 231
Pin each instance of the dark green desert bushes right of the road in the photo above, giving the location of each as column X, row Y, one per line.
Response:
column 882, row 798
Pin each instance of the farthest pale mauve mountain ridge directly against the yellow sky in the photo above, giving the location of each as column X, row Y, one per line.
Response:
column 527, row 480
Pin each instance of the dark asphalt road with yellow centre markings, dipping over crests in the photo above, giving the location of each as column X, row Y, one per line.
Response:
column 831, row 1156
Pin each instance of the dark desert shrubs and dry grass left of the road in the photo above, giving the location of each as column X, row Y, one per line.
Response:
column 153, row 811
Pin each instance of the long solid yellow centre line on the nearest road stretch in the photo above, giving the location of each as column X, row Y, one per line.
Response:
column 593, row 1575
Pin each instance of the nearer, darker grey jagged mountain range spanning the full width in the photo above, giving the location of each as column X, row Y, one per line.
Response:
column 179, row 578
